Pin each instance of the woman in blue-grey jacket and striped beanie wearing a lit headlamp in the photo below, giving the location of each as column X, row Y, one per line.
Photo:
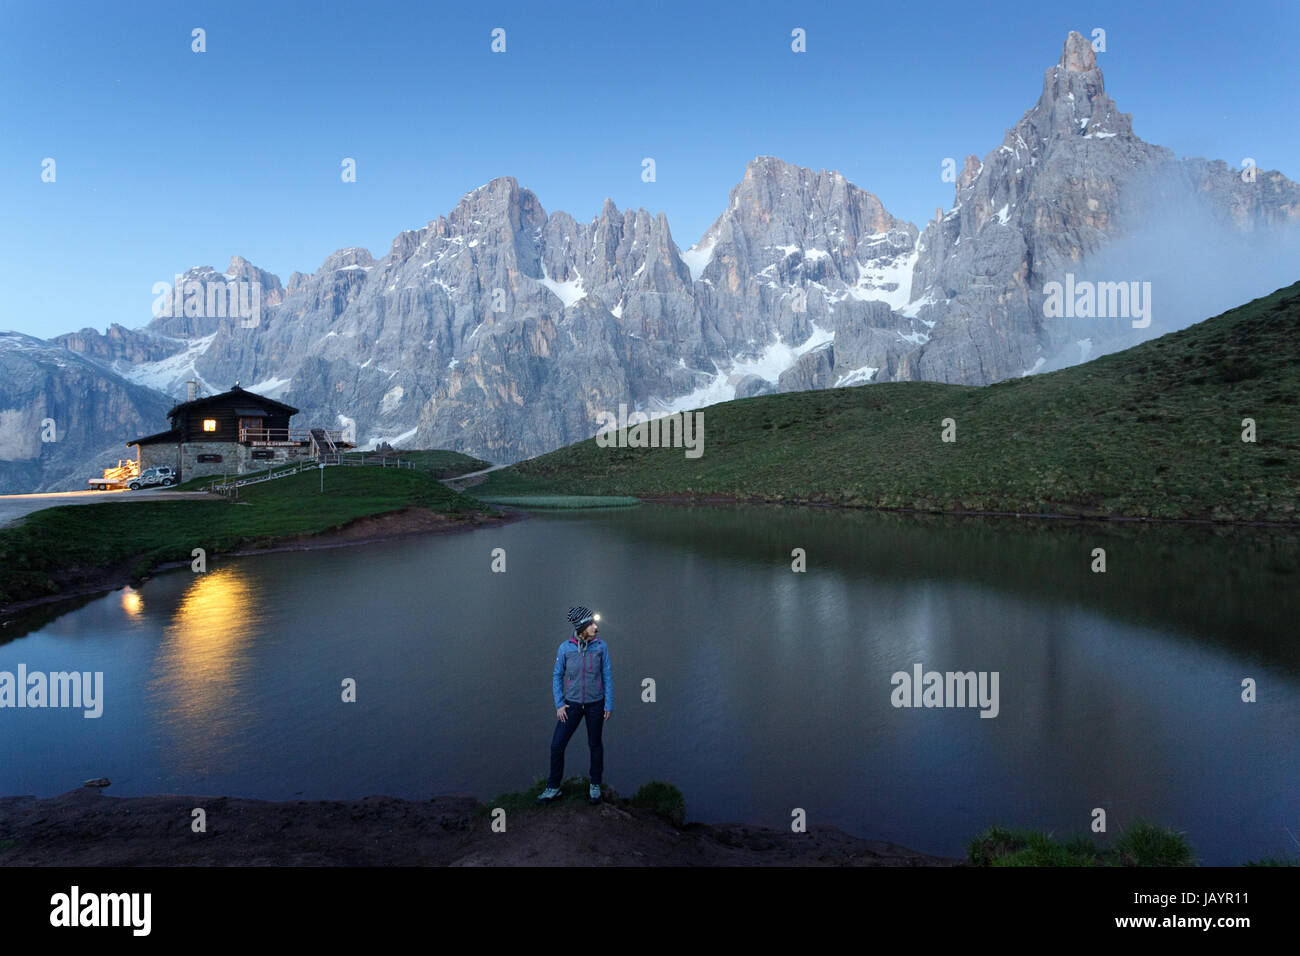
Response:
column 583, row 687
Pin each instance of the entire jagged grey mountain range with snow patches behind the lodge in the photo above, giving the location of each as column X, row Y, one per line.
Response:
column 505, row 332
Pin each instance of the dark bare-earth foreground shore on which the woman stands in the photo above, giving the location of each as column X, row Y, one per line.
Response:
column 85, row 828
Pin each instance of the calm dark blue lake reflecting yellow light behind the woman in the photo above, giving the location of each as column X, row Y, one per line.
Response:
column 774, row 689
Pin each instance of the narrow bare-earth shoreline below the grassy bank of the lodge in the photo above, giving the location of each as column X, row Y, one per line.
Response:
column 367, row 530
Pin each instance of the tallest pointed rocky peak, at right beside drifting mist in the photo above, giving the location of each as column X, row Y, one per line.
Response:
column 1069, row 178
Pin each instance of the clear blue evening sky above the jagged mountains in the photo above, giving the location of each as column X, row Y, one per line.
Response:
column 170, row 159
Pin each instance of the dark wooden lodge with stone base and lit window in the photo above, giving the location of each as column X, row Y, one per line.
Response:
column 233, row 434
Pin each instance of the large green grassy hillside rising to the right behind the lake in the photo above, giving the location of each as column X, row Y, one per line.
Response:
column 1151, row 432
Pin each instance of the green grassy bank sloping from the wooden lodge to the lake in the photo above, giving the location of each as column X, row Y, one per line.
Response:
column 67, row 548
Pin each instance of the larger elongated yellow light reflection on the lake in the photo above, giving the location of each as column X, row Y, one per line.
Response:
column 202, row 661
